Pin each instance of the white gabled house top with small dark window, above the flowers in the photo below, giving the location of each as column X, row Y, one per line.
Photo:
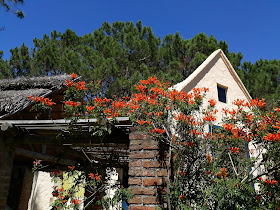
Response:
column 217, row 74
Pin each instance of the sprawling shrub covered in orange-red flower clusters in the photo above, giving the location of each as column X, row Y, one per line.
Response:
column 219, row 169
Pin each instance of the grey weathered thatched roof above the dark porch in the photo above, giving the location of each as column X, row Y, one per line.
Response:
column 14, row 92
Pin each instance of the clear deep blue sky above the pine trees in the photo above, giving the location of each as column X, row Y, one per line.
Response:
column 248, row 26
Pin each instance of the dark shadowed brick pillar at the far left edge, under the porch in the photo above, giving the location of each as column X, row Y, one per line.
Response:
column 6, row 165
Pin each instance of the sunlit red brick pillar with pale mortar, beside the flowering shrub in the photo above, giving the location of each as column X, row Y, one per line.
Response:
column 147, row 172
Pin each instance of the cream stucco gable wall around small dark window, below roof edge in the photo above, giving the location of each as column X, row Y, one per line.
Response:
column 216, row 72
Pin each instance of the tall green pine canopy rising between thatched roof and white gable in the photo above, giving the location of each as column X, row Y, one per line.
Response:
column 119, row 54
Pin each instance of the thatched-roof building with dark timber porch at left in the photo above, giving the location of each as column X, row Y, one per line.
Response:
column 24, row 139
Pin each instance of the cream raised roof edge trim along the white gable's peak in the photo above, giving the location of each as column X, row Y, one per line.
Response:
column 180, row 86
